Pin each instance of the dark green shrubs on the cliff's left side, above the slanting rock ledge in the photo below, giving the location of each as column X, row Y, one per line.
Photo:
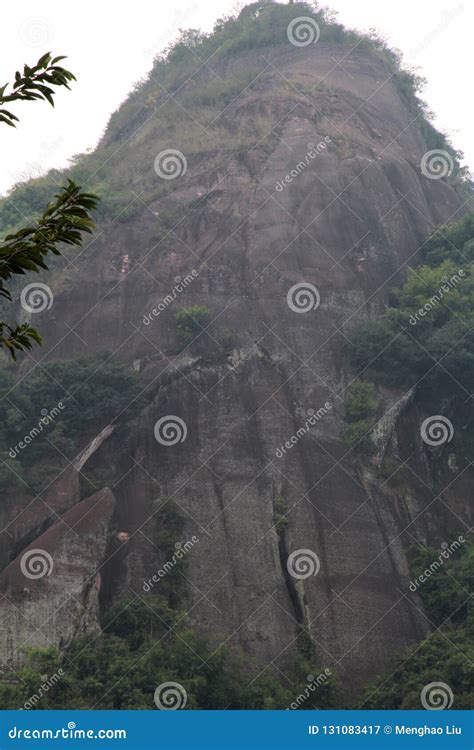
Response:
column 48, row 417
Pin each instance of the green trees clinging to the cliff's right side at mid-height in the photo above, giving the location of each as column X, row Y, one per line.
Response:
column 426, row 336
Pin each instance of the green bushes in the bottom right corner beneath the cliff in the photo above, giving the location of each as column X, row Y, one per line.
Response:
column 447, row 654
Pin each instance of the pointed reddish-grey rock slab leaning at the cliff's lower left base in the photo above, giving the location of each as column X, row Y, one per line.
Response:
column 50, row 591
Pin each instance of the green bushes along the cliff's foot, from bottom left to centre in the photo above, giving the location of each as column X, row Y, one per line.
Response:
column 146, row 644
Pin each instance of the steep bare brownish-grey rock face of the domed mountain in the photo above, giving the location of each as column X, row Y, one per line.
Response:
column 310, row 174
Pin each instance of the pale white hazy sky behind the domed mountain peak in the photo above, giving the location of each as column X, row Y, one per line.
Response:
column 110, row 46
